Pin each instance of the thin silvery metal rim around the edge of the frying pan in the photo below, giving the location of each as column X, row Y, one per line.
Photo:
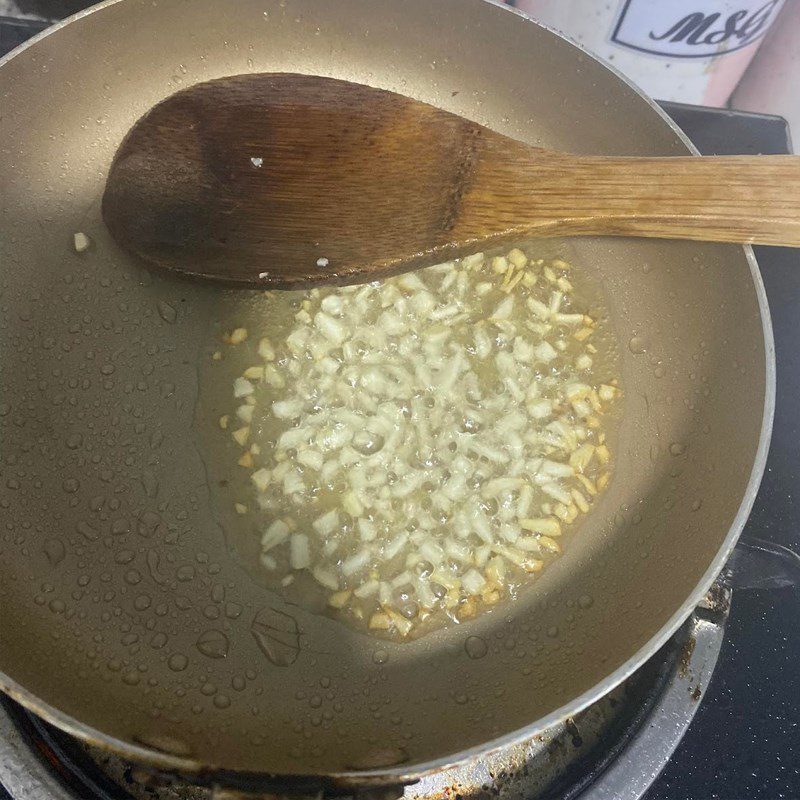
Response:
column 189, row 766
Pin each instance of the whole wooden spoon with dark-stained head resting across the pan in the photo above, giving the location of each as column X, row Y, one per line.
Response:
column 280, row 180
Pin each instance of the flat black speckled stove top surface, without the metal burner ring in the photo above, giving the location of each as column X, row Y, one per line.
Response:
column 744, row 743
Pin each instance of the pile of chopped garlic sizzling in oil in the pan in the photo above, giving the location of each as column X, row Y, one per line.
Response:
column 420, row 444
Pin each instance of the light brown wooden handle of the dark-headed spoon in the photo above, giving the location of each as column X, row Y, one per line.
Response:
column 744, row 199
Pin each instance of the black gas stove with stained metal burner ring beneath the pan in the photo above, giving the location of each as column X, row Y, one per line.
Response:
column 637, row 741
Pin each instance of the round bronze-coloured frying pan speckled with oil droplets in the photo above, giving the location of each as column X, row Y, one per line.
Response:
column 129, row 617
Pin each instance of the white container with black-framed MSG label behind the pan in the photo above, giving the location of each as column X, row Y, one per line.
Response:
column 689, row 51
